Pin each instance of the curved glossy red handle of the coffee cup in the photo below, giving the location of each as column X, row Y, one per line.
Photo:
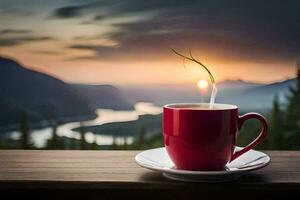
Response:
column 262, row 135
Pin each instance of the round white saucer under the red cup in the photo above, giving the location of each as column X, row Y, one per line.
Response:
column 158, row 160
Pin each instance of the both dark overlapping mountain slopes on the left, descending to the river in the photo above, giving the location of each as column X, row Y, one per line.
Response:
column 44, row 97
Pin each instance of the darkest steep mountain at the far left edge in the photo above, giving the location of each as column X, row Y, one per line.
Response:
column 39, row 95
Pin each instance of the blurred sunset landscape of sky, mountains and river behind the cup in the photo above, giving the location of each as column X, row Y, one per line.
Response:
column 95, row 74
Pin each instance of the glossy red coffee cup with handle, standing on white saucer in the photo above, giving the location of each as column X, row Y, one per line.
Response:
column 199, row 138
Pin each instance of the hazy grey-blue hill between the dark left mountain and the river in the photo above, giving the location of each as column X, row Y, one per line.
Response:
column 103, row 96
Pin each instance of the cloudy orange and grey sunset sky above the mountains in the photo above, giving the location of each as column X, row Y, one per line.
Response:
column 128, row 41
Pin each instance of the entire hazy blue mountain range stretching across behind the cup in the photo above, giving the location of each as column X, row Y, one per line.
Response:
column 43, row 97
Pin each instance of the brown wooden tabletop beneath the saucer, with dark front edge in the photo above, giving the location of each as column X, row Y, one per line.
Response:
column 114, row 174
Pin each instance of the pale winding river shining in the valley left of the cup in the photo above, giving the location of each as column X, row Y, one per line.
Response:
column 39, row 137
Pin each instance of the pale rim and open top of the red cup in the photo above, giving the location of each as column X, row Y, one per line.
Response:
column 183, row 106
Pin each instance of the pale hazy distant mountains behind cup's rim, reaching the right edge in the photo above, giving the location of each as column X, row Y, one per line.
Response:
column 247, row 95
